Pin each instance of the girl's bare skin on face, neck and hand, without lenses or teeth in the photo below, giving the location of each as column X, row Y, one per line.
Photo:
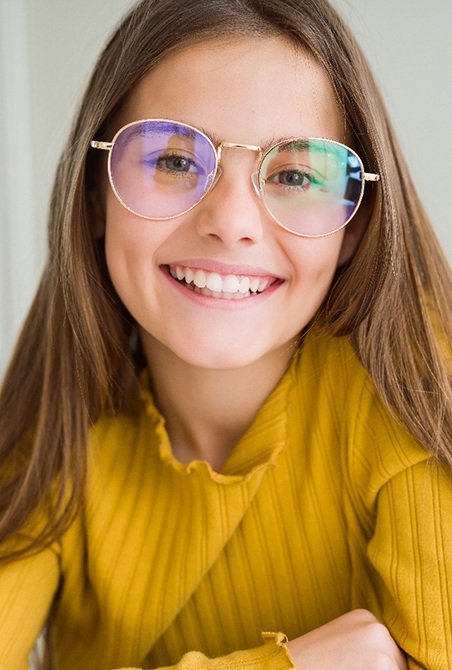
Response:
column 214, row 362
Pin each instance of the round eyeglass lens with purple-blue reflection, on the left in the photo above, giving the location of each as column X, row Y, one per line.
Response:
column 160, row 169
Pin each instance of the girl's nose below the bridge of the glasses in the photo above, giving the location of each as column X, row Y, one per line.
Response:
column 232, row 212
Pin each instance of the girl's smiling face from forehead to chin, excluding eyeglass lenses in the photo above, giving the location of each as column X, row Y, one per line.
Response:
column 249, row 91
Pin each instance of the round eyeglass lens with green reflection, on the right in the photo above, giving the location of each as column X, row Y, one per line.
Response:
column 311, row 186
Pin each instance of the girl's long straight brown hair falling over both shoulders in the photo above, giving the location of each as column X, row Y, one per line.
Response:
column 74, row 358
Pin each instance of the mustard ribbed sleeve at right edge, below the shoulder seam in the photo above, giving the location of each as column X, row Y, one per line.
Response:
column 412, row 553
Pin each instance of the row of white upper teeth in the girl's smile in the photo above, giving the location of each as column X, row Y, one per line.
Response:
column 220, row 283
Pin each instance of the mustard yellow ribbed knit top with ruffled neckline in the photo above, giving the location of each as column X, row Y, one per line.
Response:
column 325, row 505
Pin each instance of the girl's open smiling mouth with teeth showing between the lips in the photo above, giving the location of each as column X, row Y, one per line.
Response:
column 215, row 285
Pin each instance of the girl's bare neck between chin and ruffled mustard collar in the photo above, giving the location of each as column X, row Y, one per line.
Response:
column 207, row 411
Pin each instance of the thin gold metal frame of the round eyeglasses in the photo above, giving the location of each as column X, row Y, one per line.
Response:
column 256, row 180
